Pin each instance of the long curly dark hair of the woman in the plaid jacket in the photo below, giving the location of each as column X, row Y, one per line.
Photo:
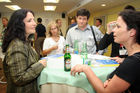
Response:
column 15, row 28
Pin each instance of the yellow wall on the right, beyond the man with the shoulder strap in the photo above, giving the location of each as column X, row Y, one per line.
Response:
column 111, row 15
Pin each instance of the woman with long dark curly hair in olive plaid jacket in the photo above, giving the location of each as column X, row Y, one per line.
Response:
column 21, row 63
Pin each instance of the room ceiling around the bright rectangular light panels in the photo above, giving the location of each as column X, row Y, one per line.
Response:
column 64, row 5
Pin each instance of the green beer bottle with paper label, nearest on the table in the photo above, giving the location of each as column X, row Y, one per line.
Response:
column 67, row 59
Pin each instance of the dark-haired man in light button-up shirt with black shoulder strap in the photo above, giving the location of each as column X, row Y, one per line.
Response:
column 82, row 32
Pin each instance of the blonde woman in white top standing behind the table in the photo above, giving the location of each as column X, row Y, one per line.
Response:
column 53, row 43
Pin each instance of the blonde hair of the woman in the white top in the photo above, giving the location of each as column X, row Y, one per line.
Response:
column 52, row 23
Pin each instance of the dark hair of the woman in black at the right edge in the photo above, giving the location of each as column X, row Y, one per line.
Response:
column 132, row 20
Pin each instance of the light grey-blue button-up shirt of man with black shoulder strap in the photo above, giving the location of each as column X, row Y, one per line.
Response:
column 77, row 34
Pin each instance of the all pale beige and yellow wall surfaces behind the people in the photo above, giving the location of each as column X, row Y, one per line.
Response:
column 110, row 14
